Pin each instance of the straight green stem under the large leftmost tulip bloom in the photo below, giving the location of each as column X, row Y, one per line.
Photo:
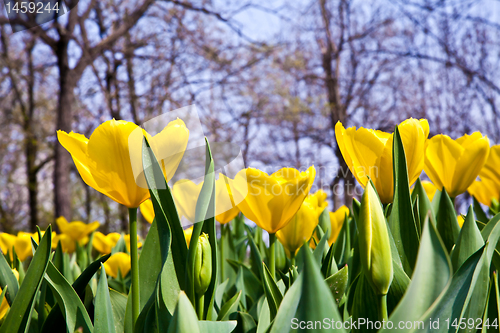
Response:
column 132, row 212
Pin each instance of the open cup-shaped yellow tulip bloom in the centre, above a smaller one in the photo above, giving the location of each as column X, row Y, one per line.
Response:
column 271, row 201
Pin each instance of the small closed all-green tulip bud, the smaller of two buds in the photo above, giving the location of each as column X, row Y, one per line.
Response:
column 202, row 265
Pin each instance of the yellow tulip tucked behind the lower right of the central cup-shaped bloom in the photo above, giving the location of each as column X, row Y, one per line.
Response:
column 302, row 225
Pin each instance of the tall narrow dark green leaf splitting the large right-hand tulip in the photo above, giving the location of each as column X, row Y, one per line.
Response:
column 401, row 221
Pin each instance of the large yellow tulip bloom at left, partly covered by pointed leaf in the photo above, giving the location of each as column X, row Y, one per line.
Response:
column 105, row 160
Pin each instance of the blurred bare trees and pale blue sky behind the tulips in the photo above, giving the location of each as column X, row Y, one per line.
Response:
column 271, row 76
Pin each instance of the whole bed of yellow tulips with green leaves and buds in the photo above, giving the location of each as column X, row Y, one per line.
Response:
column 400, row 258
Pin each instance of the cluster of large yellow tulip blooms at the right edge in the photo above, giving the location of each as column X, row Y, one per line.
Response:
column 450, row 164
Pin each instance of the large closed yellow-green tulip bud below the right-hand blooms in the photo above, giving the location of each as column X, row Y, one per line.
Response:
column 374, row 245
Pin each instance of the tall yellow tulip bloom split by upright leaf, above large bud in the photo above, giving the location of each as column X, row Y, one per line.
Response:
column 368, row 153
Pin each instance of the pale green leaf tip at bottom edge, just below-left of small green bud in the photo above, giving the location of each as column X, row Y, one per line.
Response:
column 184, row 319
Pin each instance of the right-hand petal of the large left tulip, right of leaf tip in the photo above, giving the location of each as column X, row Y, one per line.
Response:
column 169, row 146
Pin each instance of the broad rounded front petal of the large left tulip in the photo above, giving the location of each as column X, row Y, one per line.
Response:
column 110, row 158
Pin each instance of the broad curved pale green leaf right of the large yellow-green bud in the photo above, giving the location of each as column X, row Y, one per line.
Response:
column 431, row 276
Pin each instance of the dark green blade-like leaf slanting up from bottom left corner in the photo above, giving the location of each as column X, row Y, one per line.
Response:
column 19, row 316
